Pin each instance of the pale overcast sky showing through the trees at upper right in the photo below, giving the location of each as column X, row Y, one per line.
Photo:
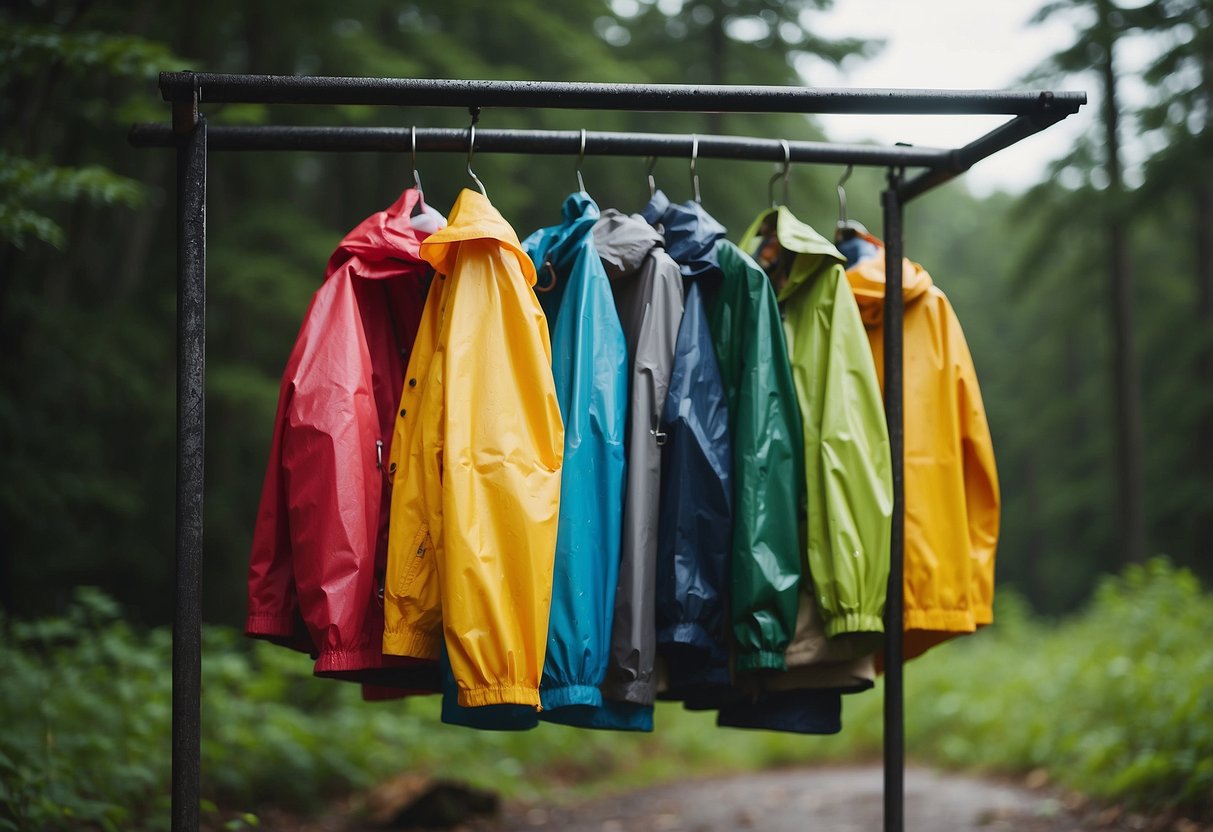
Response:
column 949, row 44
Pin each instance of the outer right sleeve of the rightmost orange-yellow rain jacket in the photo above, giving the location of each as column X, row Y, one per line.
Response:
column 982, row 495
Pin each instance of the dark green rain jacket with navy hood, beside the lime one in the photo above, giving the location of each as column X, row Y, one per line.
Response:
column 764, row 426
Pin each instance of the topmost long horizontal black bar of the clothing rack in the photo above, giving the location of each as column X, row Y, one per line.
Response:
column 218, row 88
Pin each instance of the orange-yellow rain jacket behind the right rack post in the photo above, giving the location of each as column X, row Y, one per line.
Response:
column 952, row 486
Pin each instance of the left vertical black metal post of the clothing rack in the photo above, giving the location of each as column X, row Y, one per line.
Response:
column 187, row 637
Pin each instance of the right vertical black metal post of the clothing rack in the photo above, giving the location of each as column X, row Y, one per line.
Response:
column 895, row 687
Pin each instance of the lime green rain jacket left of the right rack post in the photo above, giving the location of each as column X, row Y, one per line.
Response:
column 847, row 461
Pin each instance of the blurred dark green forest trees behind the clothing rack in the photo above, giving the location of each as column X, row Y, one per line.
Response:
column 1057, row 307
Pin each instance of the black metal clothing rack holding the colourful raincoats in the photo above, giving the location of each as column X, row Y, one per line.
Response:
column 193, row 140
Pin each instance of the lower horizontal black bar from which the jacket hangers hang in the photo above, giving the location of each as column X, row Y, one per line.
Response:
column 568, row 143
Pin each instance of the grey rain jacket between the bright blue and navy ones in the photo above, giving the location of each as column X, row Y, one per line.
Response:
column 650, row 297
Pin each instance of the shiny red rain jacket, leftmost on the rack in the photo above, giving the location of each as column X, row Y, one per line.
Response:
column 320, row 546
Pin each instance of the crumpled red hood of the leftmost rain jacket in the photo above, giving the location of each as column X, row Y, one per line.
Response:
column 392, row 235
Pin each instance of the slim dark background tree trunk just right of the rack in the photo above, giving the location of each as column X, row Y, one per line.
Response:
column 1125, row 363
